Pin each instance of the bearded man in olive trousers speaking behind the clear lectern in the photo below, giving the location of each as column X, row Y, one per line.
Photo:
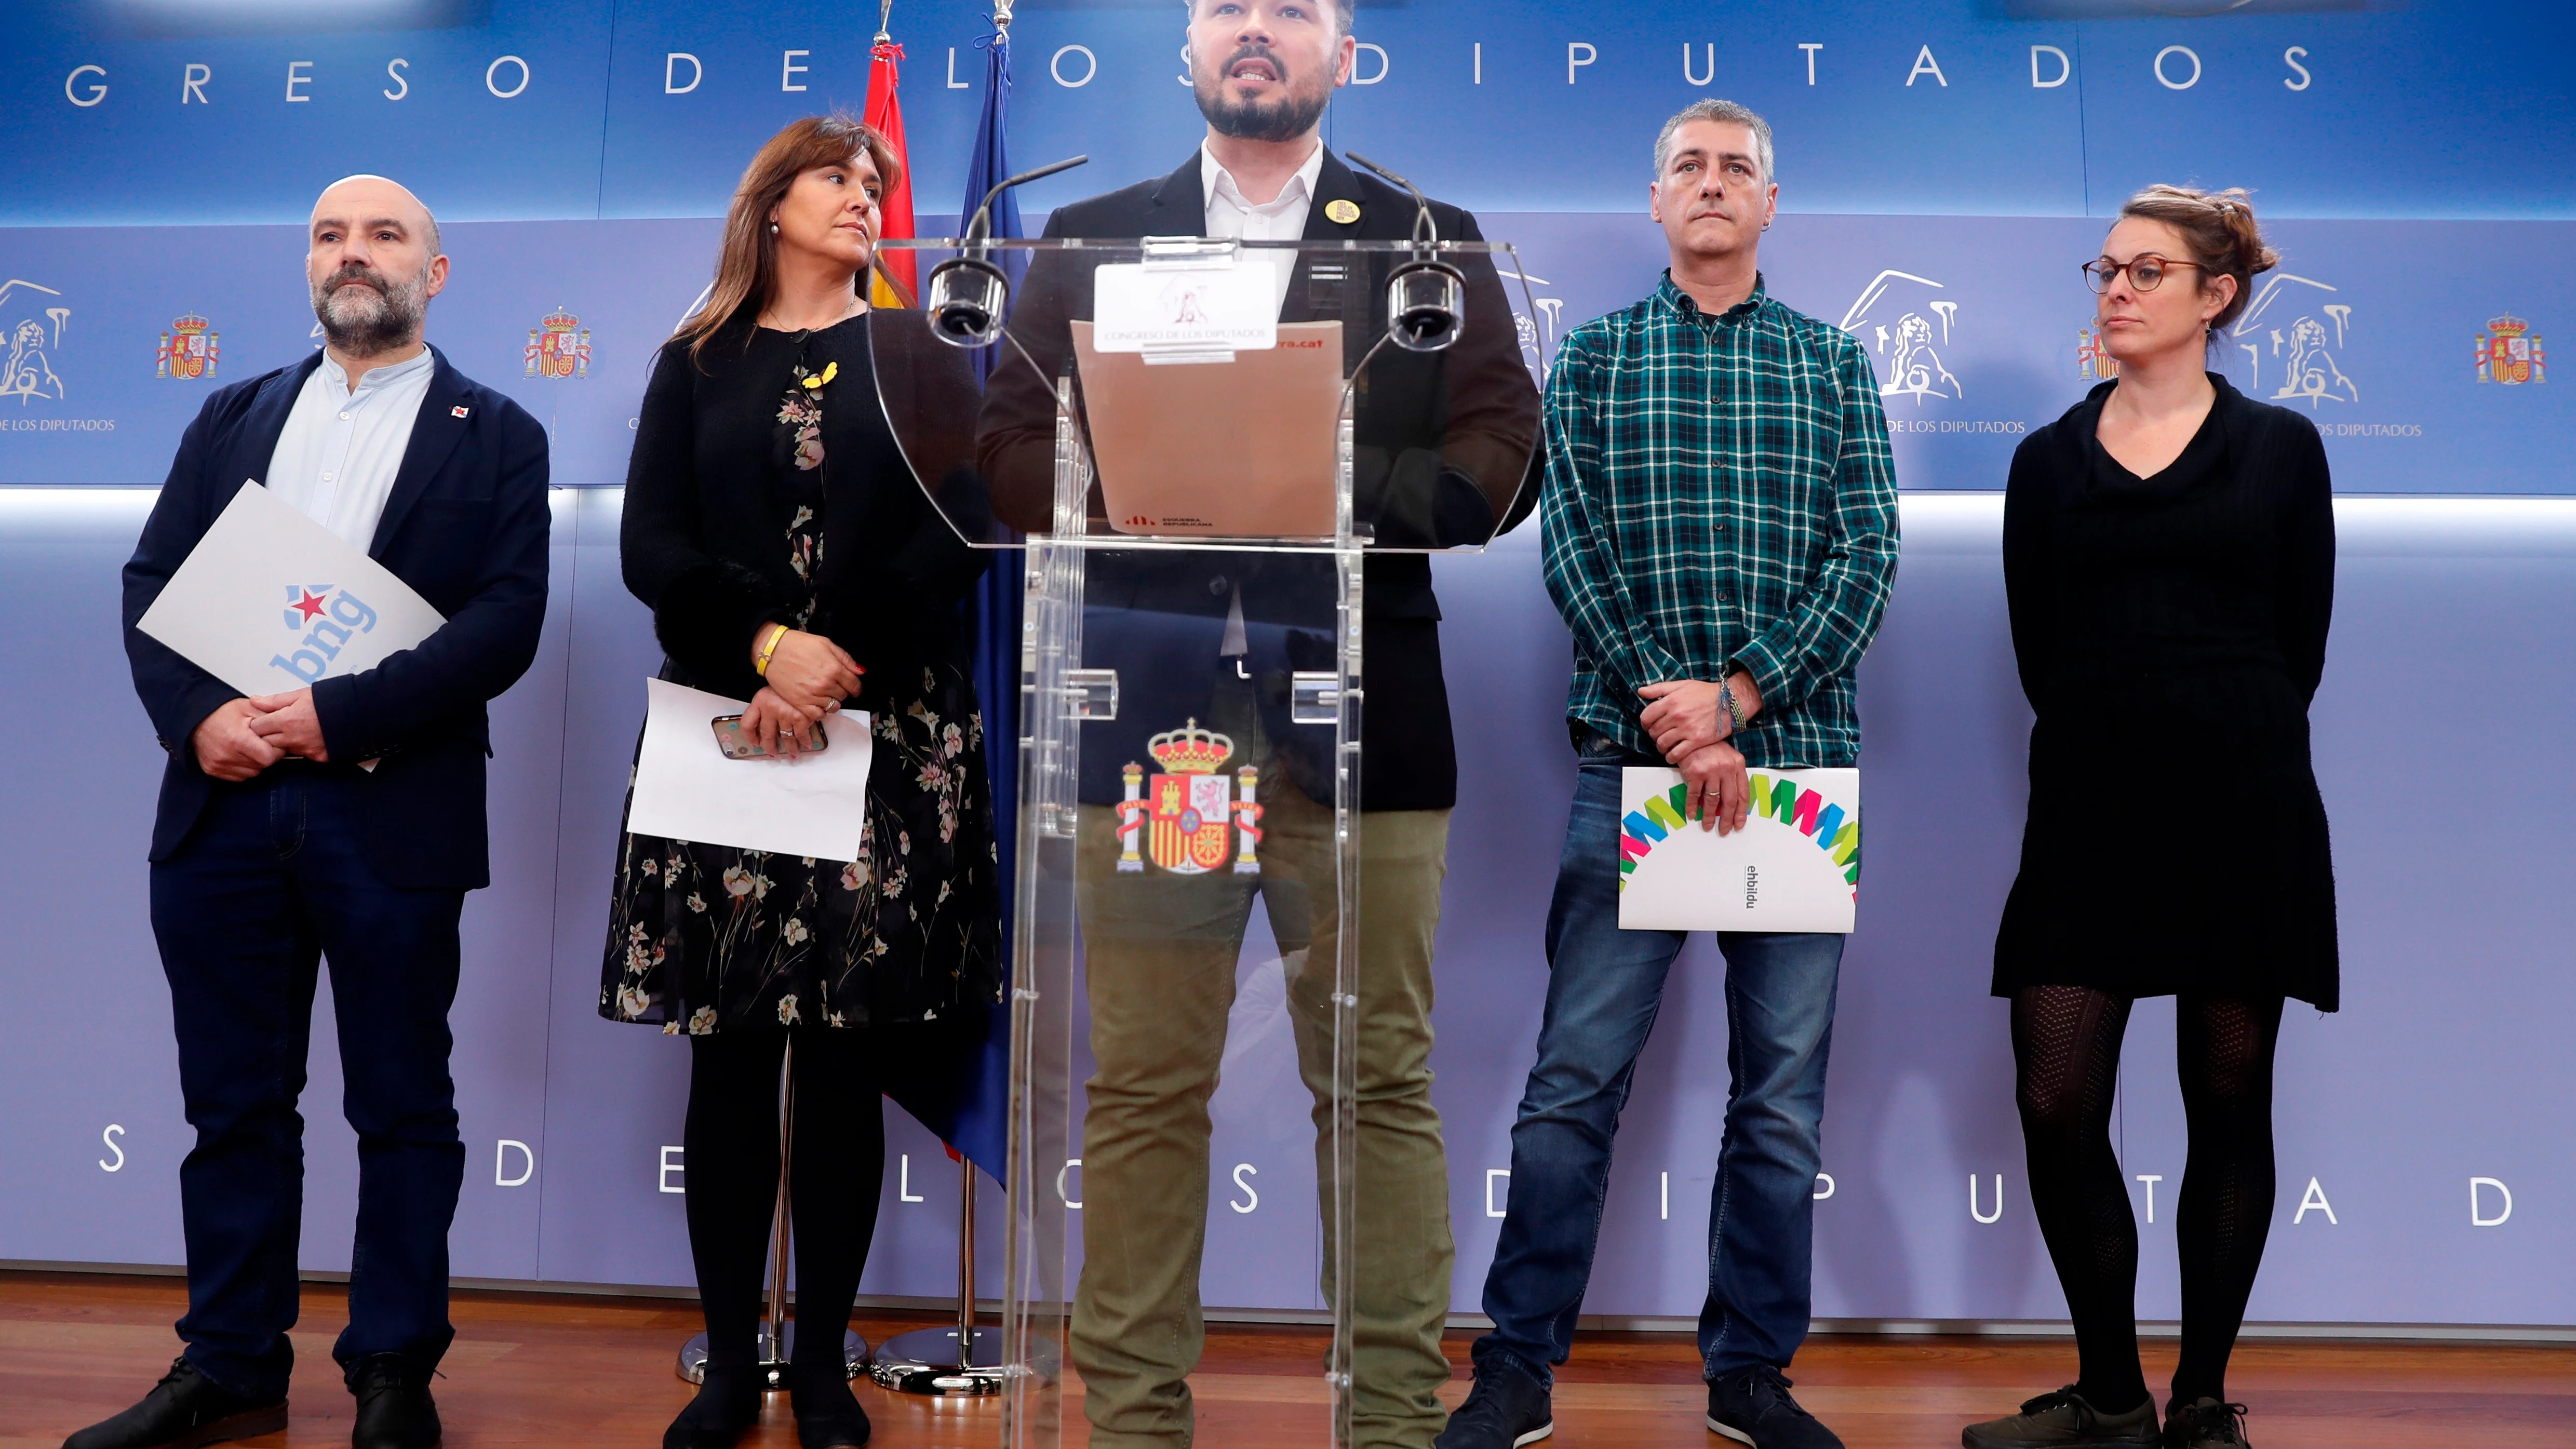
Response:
column 1207, row 646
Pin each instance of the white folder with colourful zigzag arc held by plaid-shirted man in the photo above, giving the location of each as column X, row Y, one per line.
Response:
column 1792, row 868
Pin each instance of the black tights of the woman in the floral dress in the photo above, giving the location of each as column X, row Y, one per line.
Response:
column 733, row 1180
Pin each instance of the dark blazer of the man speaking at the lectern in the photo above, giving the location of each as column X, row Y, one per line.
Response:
column 1444, row 450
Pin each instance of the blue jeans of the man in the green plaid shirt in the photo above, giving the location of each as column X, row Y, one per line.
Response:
column 1604, row 994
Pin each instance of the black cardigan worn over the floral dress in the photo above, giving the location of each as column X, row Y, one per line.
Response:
column 705, row 532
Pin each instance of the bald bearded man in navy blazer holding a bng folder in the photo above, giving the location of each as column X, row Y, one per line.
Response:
column 334, row 824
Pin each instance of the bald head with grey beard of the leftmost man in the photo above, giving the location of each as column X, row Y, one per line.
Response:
column 375, row 264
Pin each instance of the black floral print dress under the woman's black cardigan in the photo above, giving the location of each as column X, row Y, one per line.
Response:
column 717, row 940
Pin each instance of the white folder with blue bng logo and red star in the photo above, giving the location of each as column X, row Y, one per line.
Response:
column 272, row 602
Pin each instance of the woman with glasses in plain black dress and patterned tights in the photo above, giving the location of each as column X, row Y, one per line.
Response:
column 2170, row 571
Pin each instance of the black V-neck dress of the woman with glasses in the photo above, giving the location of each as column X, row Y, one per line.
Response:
column 2170, row 636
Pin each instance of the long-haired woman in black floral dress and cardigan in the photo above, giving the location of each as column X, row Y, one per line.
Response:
column 792, row 561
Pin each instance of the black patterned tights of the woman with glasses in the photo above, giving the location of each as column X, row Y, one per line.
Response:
column 2067, row 1051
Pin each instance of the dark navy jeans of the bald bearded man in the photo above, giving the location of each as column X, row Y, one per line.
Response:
column 267, row 888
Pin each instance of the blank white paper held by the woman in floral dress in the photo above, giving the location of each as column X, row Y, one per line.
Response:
column 689, row 790
